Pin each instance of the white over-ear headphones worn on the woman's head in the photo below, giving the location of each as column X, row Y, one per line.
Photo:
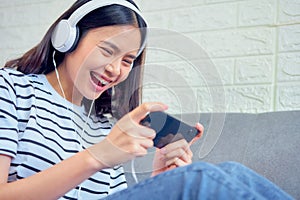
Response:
column 65, row 34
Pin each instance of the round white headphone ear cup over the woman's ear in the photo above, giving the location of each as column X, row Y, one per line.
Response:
column 64, row 36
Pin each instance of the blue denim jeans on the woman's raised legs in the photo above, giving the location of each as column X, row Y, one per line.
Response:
column 229, row 180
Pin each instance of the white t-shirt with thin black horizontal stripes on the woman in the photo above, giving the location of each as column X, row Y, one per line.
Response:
column 39, row 128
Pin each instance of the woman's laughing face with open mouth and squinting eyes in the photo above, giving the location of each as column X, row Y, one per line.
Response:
column 103, row 58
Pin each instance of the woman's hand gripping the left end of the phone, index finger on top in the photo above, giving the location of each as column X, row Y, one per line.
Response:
column 127, row 139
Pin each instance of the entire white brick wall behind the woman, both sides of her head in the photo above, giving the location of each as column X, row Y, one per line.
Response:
column 253, row 45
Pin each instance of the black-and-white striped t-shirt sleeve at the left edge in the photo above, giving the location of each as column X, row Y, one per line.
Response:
column 8, row 116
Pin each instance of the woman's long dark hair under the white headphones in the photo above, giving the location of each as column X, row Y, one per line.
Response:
column 126, row 95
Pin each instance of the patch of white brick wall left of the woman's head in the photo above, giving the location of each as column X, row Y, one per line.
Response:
column 23, row 24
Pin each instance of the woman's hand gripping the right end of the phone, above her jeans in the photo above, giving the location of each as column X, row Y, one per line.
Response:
column 175, row 154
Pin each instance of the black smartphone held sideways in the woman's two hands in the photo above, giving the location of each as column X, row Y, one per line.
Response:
column 168, row 129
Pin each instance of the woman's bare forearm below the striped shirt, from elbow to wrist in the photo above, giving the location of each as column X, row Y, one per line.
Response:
column 54, row 182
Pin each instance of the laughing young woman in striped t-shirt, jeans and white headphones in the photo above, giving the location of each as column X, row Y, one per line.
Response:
column 55, row 141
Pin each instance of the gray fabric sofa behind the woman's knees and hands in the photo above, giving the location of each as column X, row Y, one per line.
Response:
column 268, row 143
